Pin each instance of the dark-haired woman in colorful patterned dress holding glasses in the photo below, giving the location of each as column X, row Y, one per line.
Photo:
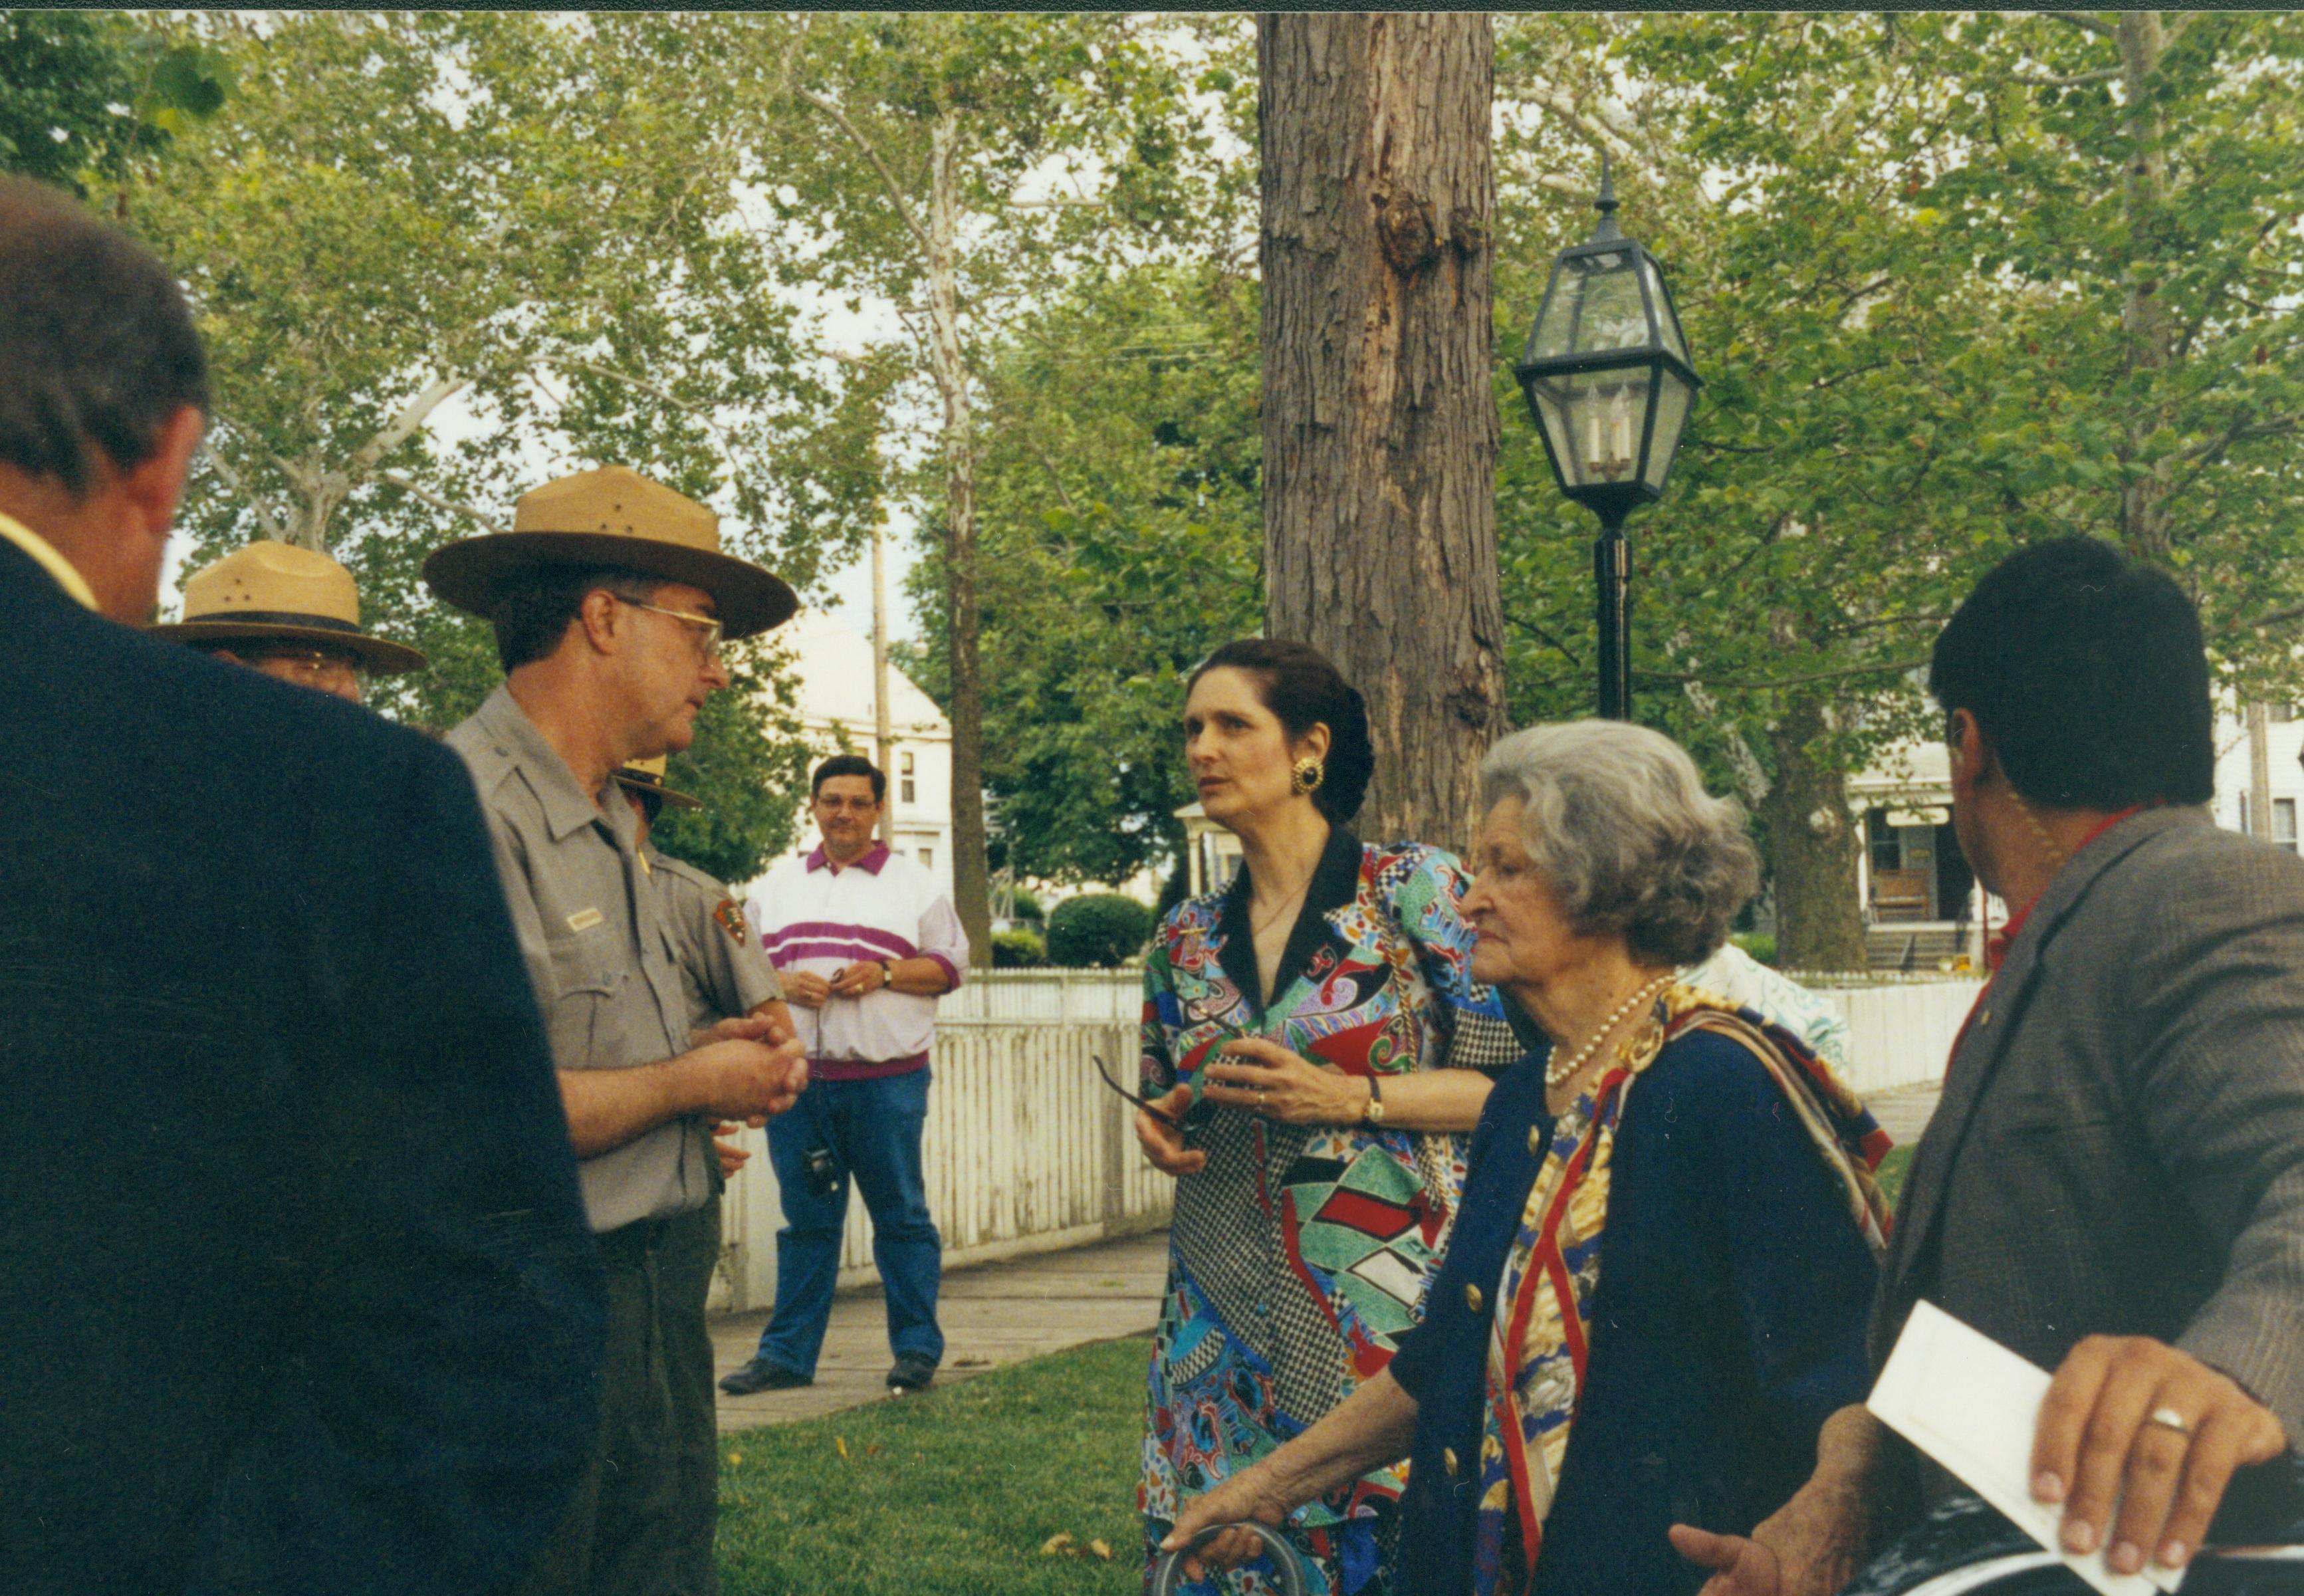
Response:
column 1310, row 1031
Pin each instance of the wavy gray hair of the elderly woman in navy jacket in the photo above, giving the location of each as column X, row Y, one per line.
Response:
column 1623, row 830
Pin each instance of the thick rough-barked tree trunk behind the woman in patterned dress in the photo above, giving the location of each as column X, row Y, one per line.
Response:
column 1379, row 411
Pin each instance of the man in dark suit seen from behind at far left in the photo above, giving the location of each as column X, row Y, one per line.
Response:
column 296, row 1289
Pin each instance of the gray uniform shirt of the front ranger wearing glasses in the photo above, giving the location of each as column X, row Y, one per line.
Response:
column 598, row 950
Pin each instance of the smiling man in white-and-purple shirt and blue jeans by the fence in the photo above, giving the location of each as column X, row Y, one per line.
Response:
column 865, row 945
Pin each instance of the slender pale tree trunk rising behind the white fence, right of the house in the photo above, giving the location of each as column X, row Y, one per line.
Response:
column 971, row 886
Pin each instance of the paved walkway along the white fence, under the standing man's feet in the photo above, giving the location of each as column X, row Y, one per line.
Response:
column 992, row 1314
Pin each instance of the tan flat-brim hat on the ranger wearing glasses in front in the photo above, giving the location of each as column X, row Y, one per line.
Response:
column 621, row 519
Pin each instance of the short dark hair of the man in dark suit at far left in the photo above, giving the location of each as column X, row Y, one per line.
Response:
column 96, row 342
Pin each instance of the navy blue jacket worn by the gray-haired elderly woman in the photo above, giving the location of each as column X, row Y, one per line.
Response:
column 1729, row 1325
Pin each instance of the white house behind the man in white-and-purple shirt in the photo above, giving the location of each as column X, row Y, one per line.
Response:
column 835, row 699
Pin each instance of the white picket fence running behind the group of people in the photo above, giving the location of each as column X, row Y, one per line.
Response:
column 1029, row 1153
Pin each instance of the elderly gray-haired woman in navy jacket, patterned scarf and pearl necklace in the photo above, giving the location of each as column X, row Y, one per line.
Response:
column 1667, row 1247
